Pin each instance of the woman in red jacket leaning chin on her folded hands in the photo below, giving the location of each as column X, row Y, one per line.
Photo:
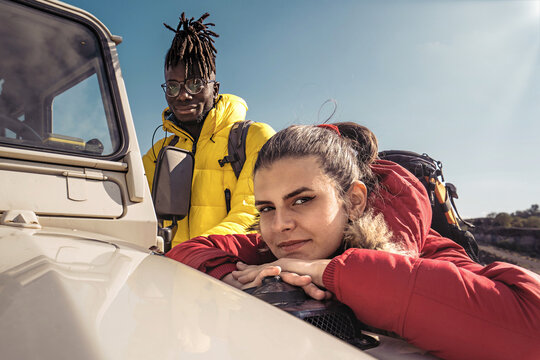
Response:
column 336, row 220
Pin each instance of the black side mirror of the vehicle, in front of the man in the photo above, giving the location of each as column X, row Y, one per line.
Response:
column 171, row 192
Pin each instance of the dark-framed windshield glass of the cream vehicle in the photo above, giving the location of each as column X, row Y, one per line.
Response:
column 54, row 93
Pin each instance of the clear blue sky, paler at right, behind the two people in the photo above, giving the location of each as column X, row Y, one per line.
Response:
column 456, row 79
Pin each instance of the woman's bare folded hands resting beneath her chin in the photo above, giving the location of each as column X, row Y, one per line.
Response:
column 306, row 274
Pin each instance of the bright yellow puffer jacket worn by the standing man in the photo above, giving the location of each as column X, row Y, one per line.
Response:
column 208, row 212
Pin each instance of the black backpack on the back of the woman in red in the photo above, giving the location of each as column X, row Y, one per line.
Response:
column 445, row 215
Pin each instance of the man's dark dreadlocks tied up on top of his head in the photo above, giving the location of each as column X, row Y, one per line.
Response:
column 193, row 45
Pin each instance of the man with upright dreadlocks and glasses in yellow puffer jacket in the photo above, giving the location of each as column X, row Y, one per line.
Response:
column 200, row 120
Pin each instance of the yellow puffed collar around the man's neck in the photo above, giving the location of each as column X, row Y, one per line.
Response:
column 227, row 110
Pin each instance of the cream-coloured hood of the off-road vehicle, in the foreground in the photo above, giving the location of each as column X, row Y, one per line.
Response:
column 69, row 295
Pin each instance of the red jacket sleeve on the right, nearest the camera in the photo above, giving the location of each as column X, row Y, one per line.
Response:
column 442, row 302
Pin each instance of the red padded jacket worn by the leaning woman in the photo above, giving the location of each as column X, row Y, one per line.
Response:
column 440, row 301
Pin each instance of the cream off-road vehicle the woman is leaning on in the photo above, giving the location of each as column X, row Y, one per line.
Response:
column 79, row 274
